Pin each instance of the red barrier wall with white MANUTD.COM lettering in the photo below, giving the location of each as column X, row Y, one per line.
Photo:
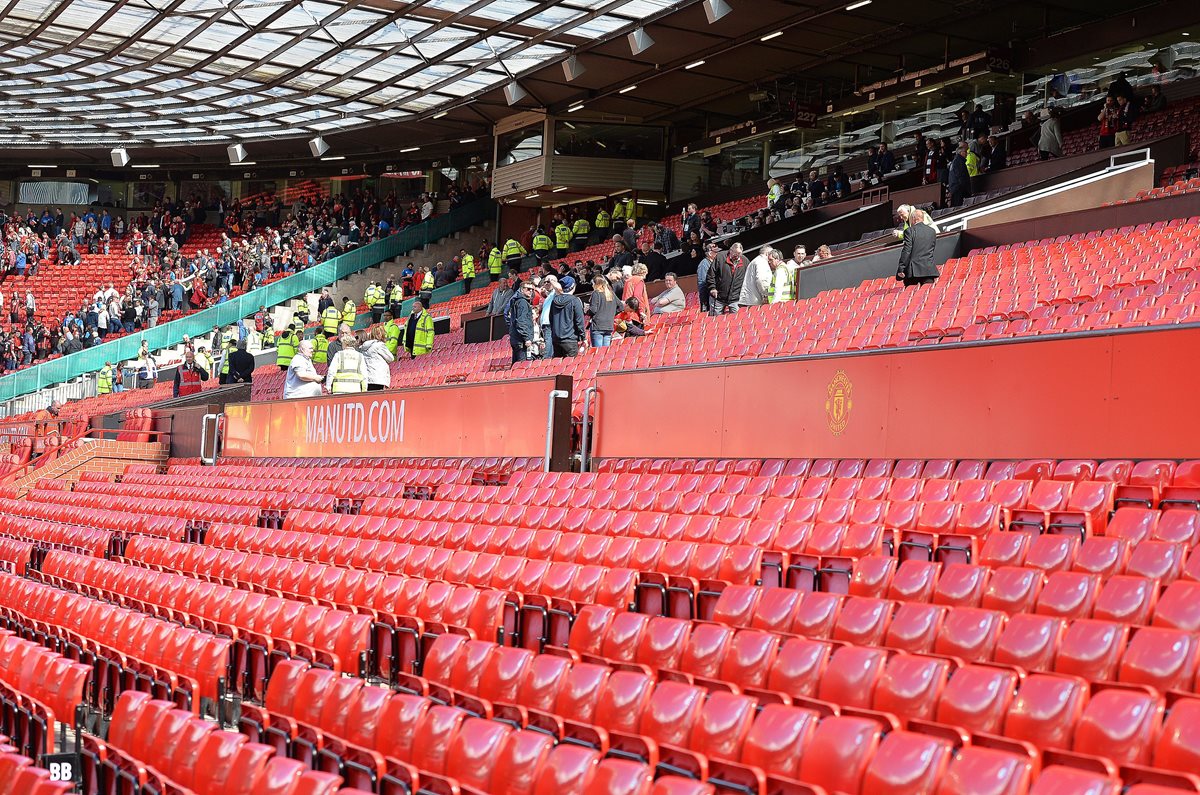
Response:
column 506, row 419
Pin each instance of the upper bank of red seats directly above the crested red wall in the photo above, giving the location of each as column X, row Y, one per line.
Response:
column 1133, row 277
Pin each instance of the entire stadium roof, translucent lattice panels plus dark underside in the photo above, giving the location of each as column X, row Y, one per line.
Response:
column 179, row 80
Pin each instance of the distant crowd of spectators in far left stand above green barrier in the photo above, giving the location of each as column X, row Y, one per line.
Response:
column 261, row 241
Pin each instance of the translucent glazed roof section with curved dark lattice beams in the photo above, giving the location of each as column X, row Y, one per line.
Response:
column 178, row 73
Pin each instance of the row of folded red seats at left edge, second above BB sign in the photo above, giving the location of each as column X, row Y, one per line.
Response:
column 145, row 653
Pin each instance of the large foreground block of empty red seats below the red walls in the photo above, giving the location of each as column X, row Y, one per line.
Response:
column 661, row 626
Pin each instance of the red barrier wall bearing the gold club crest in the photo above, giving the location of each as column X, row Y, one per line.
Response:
column 1115, row 396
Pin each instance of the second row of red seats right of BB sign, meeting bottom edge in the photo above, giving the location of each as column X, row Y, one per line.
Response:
column 392, row 743
